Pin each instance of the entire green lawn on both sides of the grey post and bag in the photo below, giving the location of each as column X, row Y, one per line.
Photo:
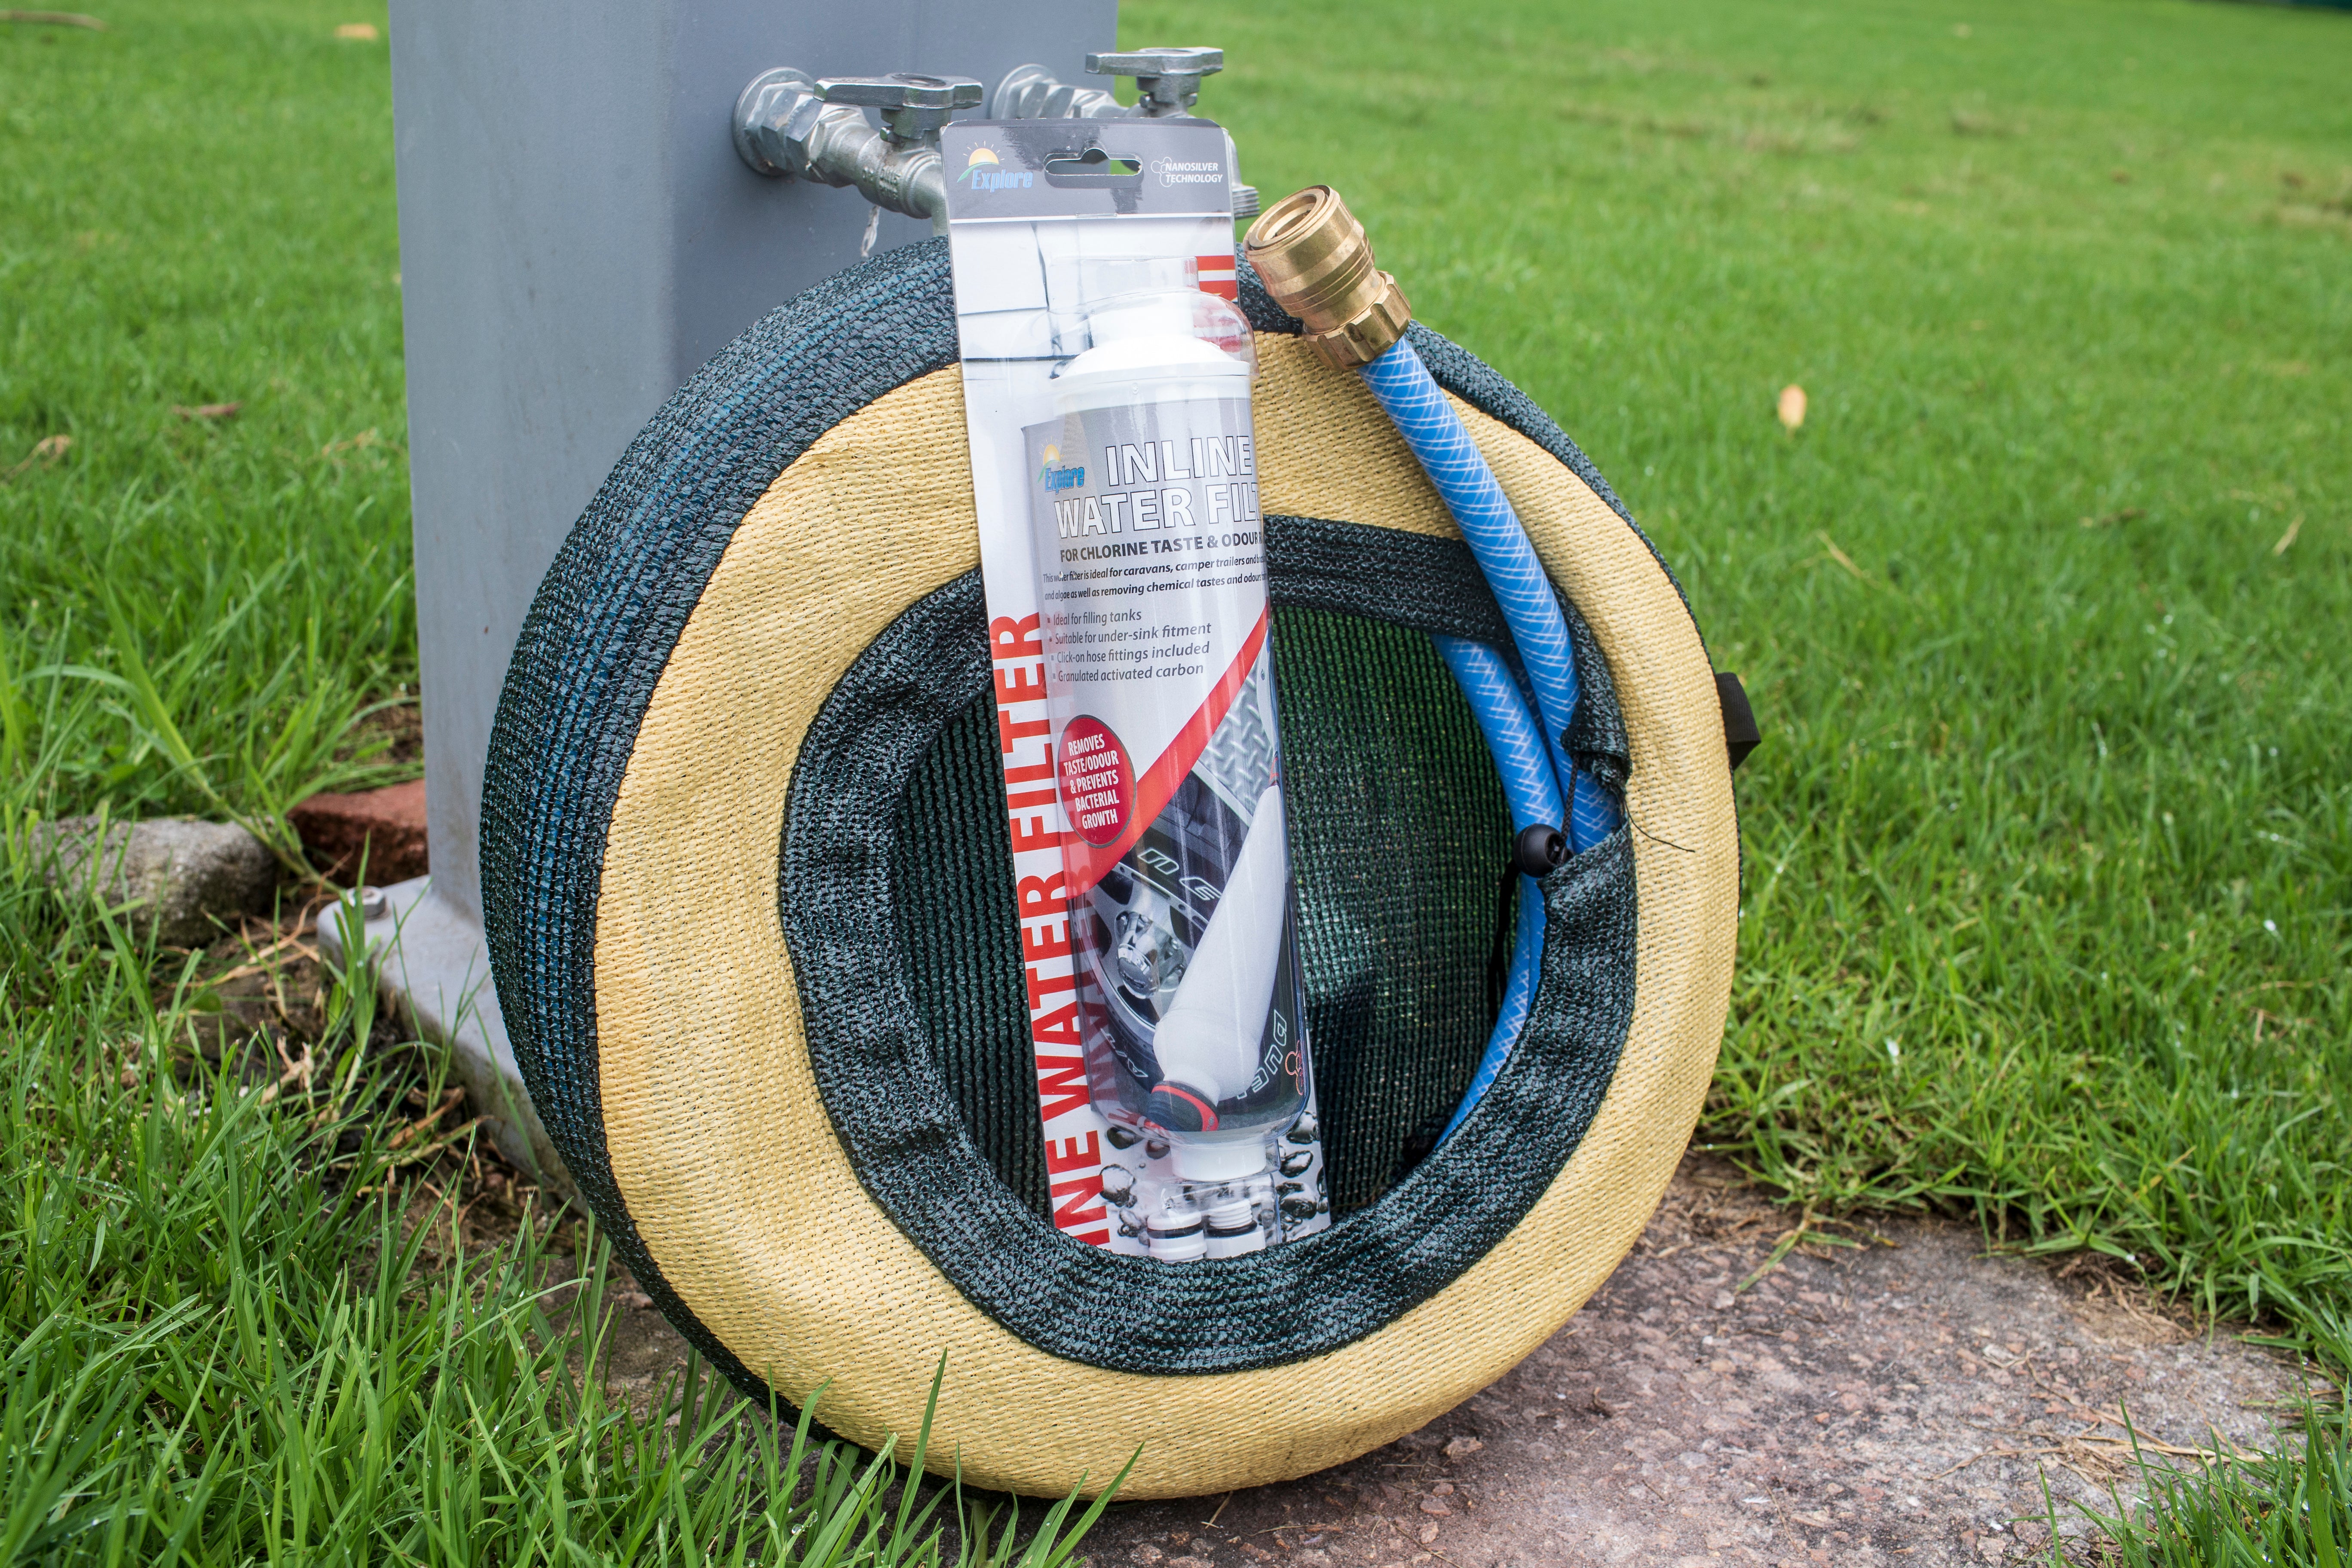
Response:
column 2047, row 850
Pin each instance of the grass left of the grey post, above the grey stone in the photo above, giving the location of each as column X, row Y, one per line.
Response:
column 196, row 208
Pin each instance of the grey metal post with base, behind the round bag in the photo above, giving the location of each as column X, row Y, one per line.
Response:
column 577, row 236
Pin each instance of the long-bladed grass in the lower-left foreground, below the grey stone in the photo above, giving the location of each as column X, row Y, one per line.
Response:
column 225, row 1336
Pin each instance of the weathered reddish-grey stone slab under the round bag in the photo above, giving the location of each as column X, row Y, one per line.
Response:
column 1895, row 1402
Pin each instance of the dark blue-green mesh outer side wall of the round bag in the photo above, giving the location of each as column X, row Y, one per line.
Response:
column 617, row 601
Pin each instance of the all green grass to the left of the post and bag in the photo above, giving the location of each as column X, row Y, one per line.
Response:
column 222, row 1336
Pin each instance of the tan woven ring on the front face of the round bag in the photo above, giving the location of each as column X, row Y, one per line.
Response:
column 723, row 1148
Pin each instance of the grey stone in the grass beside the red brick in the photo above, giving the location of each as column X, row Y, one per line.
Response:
column 171, row 876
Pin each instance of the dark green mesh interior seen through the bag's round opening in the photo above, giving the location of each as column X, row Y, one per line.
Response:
column 1398, row 824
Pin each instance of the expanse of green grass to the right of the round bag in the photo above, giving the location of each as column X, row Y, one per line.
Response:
column 2050, row 843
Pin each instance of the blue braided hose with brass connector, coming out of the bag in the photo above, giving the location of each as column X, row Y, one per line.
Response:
column 1316, row 262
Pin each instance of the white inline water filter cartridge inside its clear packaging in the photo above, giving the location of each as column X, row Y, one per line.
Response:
column 1156, row 629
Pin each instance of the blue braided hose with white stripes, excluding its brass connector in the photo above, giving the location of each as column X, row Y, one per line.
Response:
column 1532, row 758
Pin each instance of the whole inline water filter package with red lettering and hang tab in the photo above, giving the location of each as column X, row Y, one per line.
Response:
column 1107, row 398
